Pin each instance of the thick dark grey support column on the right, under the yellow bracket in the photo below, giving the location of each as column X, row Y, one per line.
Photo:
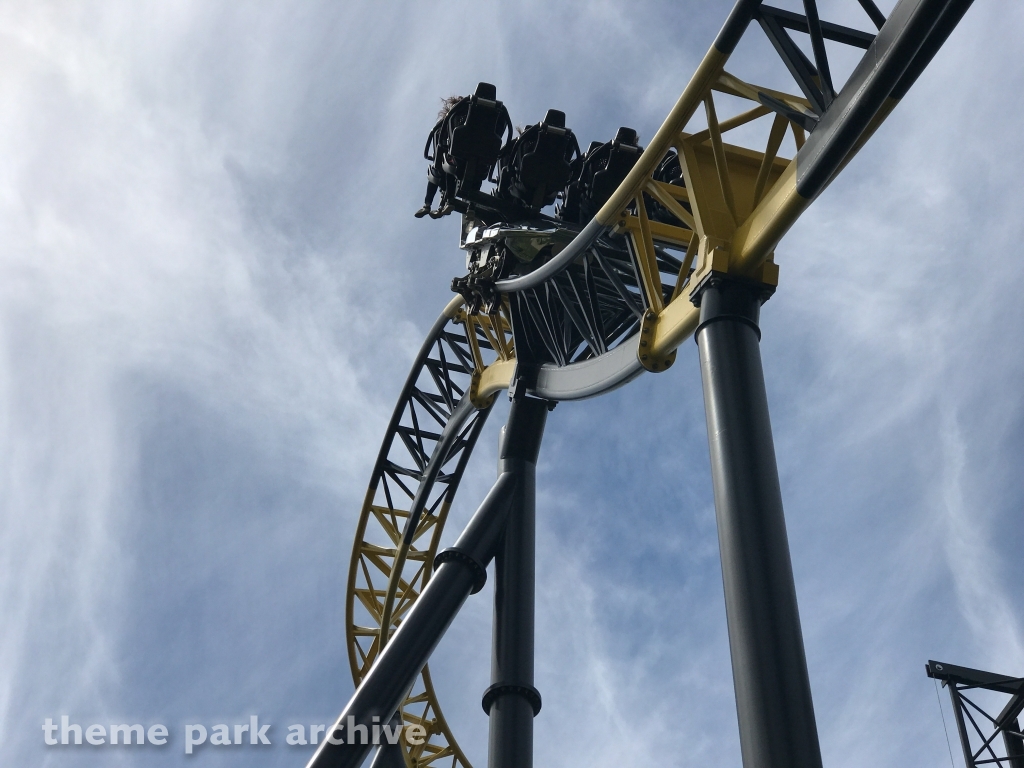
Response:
column 774, row 692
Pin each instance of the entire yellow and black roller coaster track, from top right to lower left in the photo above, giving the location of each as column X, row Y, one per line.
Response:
column 619, row 296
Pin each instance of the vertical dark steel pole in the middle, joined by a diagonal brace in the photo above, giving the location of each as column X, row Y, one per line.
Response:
column 513, row 702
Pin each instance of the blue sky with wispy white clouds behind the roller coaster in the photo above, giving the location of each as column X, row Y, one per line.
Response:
column 212, row 285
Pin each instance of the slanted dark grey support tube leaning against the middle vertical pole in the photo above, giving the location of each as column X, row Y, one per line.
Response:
column 461, row 571
